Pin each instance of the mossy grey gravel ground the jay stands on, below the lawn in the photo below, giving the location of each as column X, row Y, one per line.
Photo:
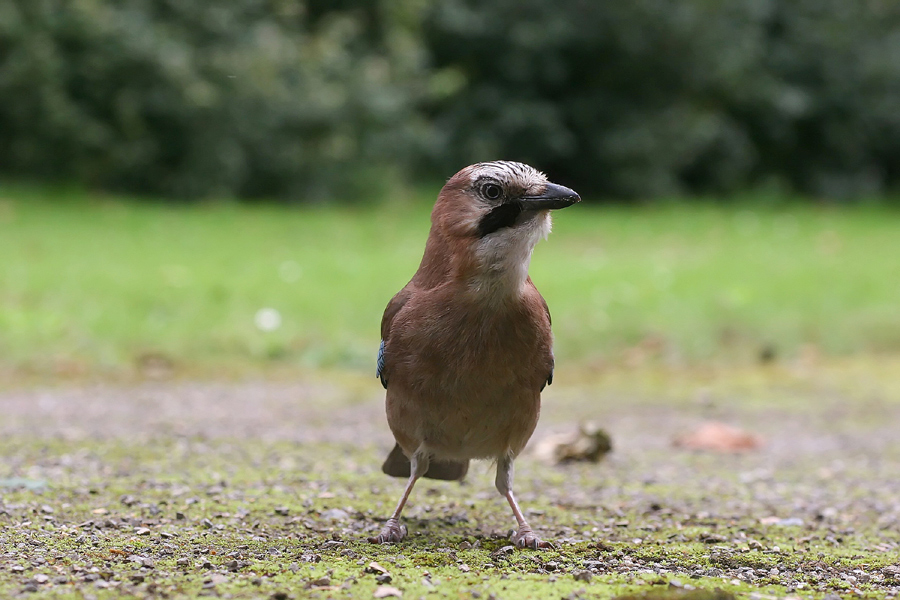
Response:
column 269, row 488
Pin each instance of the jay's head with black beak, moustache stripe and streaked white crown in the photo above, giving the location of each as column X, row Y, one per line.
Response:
column 494, row 213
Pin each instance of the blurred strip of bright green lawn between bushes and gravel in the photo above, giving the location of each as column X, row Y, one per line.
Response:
column 92, row 284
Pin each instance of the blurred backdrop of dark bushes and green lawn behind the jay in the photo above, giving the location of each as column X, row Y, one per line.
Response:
column 202, row 187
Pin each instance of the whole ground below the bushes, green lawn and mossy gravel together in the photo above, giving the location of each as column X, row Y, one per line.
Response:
column 188, row 403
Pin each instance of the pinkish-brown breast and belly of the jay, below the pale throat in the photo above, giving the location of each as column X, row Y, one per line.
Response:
column 465, row 376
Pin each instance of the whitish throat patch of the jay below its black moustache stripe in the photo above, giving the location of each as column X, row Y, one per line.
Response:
column 504, row 257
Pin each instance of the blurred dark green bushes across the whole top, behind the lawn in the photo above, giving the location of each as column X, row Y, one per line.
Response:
column 309, row 99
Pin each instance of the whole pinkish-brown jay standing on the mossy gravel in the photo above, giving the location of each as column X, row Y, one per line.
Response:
column 466, row 345
